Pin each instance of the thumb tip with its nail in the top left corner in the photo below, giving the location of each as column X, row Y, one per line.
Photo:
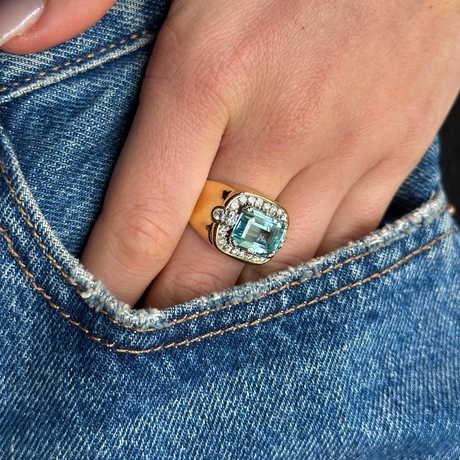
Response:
column 28, row 26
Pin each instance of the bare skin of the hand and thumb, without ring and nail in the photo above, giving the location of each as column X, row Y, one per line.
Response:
column 325, row 106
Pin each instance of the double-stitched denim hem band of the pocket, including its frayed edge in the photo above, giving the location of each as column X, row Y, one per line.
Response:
column 85, row 303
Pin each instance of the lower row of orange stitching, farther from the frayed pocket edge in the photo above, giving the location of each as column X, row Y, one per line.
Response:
column 220, row 331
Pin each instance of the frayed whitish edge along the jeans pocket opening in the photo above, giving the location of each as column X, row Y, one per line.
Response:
column 99, row 298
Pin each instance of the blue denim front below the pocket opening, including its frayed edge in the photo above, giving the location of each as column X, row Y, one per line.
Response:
column 353, row 355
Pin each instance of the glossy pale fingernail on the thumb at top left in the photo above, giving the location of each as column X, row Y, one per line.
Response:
column 16, row 16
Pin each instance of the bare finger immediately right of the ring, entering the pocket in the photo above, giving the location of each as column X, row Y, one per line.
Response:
column 311, row 199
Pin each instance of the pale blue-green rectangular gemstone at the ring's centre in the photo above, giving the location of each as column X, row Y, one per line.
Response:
column 259, row 232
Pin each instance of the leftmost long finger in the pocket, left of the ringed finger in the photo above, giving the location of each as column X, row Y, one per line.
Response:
column 157, row 180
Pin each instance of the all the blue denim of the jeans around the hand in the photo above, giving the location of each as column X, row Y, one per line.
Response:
column 355, row 355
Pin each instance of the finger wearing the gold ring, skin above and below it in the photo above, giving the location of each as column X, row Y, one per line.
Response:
column 196, row 268
